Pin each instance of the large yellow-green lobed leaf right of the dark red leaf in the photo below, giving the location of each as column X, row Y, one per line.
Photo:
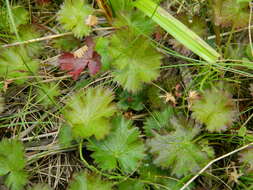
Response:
column 135, row 61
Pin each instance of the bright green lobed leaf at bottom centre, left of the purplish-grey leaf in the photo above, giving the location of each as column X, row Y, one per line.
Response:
column 122, row 147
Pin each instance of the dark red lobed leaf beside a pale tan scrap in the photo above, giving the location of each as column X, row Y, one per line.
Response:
column 75, row 65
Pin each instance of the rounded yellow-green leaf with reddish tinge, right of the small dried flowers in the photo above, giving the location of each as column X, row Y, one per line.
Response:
column 216, row 109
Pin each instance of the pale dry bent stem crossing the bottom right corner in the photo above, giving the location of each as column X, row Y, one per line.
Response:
column 213, row 161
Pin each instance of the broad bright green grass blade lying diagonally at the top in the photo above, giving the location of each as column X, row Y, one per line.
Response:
column 178, row 30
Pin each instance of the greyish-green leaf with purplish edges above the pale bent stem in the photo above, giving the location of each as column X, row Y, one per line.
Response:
column 177, row 149
